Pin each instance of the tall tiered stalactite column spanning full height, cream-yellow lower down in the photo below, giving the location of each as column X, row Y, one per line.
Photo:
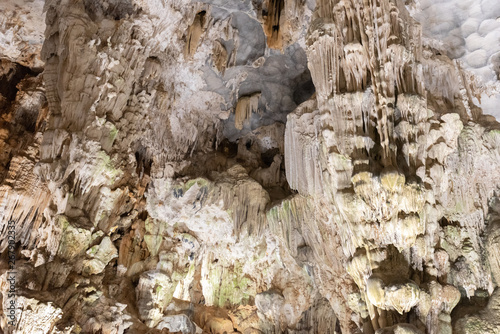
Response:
column 365, row 62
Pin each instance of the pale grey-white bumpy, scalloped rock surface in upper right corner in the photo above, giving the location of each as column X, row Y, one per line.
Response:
column 467, row 31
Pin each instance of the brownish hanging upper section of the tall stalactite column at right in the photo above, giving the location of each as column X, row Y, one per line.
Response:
column 353, row 45
